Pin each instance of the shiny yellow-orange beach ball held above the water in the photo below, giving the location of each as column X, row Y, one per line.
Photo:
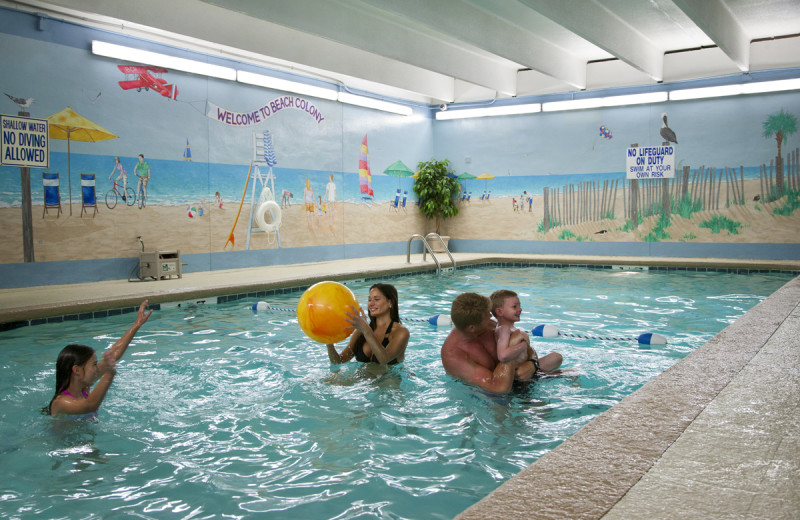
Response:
column 322, row 312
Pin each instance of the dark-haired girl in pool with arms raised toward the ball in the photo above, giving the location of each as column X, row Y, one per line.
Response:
column 77, row 370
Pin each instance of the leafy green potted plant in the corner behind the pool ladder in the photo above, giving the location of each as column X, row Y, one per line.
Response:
column 437, row 189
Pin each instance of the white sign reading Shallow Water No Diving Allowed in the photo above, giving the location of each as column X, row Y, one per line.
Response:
column 24, row 142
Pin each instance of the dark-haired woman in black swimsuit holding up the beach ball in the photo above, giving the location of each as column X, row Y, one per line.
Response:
column 384, row 339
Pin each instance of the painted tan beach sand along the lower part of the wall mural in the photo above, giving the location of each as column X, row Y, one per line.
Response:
column 113, row 233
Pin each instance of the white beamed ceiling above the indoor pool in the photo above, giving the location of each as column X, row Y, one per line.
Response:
column 443, row 51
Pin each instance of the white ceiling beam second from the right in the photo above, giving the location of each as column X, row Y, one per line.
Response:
column 596, row 24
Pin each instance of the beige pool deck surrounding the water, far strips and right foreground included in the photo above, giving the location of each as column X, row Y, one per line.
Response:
column 715, row 436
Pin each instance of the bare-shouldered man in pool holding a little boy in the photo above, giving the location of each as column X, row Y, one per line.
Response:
column 469, row 352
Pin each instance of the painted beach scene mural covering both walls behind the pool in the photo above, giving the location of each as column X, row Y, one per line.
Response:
column 268, row 170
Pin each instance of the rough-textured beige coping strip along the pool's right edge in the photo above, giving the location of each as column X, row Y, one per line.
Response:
column 591, row 471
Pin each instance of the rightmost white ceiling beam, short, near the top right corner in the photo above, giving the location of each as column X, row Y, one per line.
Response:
column 714, row 19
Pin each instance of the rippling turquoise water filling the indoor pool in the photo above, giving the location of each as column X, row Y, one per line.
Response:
column 219, row 412
